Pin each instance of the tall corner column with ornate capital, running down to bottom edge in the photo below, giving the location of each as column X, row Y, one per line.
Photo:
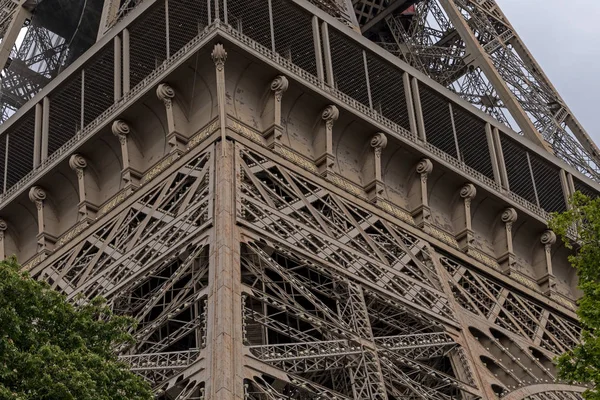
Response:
column 225, row 346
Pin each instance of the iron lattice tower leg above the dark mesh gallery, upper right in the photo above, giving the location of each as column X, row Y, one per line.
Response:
column 470, row 47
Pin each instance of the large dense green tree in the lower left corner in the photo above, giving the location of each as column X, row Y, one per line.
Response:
column 53, row 350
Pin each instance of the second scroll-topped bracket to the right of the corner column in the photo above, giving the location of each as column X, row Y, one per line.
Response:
column 323, row 140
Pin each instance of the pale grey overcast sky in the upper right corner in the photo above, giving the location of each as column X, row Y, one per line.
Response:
column 564, row 37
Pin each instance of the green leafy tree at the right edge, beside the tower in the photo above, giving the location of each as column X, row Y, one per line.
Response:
column 582, row 364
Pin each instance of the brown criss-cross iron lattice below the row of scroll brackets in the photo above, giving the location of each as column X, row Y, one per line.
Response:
column 333, row 300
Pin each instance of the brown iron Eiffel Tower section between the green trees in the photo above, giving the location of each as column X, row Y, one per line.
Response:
column 298, row 200
